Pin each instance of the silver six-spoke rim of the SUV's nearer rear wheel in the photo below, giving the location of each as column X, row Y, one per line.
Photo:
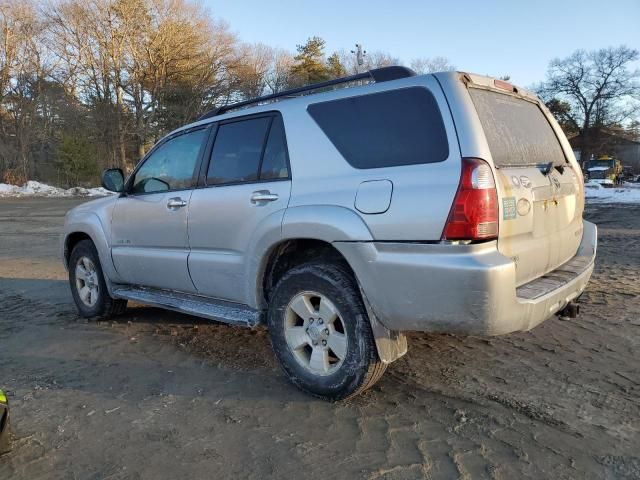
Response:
column 315, row 333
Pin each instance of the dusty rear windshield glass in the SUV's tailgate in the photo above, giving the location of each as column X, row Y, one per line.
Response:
column 517, row 131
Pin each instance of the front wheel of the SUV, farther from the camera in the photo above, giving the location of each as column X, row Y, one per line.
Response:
column 88, row 286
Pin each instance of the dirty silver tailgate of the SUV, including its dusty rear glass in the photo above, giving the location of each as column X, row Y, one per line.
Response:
column 540, row 194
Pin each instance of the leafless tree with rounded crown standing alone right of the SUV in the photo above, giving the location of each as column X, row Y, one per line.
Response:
column 596, row 90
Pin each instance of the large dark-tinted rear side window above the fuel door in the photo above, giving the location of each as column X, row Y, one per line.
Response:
column 399, row 127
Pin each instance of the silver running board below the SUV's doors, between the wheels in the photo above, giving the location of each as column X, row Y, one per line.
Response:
column 210, row 308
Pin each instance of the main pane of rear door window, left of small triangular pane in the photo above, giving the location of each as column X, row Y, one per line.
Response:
column 237, row 151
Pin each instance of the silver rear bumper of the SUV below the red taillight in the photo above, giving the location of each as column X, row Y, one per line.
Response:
column 469, row 289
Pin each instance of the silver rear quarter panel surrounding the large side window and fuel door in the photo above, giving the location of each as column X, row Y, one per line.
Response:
column 421, row 194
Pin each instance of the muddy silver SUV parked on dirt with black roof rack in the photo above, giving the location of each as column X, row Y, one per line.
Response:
column 343, row 217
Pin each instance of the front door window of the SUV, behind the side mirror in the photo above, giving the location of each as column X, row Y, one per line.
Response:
column 171, row 165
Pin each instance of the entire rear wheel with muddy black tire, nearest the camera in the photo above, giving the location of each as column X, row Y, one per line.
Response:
column 321, row 334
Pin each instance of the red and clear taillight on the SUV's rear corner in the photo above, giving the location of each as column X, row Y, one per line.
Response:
column 474, row 214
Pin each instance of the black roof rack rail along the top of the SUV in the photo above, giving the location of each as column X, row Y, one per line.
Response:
column 378, row 75
